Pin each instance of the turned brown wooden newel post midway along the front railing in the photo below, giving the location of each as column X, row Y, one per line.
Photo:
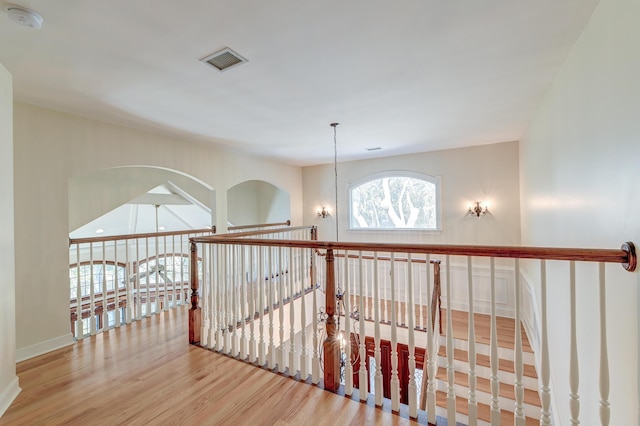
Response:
column 331, row 343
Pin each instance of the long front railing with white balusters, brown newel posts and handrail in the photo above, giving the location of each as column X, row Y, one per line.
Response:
column 267, row 302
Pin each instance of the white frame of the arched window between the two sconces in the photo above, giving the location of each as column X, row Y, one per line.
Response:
column 435, row 180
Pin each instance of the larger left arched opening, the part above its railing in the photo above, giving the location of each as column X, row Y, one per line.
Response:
column 140, row 199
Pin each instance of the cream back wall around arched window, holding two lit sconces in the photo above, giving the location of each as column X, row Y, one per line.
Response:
column 481, row 173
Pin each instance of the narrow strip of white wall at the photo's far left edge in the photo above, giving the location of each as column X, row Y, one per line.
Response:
column 8, row 380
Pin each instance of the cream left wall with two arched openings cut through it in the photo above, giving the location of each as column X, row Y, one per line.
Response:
column 53, row 147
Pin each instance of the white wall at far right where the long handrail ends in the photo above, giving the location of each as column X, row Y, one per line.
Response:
column 579, row 168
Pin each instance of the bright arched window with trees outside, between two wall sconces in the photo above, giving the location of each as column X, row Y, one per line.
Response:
column 395, row 200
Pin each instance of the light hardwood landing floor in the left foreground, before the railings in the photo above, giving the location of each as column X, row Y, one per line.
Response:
column 147, row 374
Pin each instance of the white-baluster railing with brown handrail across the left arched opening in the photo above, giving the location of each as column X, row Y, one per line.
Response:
column 119, row 279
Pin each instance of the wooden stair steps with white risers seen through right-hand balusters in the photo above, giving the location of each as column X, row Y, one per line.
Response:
column 506, row 374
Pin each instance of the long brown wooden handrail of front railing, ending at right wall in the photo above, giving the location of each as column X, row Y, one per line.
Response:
column 626, row 255
